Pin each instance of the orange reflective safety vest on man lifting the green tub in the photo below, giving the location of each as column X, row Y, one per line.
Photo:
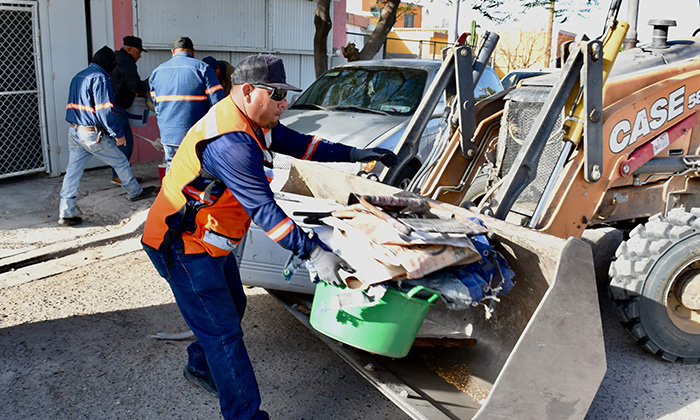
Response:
column 194, row 205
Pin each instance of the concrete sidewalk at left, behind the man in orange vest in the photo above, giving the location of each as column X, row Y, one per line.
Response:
column 29, row 229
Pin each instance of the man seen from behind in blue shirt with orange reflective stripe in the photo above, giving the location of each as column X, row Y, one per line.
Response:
column 183, row 89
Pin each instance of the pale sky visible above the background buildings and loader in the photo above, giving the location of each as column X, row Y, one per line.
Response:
column 686, row 13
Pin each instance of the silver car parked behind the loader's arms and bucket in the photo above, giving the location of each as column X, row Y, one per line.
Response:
column 368, row 104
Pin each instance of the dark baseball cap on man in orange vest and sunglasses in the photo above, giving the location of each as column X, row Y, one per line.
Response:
column 262, row 69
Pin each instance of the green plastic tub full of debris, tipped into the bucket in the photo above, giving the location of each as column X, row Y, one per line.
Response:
column 387, row 328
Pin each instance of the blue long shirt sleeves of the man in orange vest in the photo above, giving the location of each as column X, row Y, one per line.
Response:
column 237, row 160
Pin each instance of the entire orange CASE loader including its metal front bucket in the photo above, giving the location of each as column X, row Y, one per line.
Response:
column 609, row 143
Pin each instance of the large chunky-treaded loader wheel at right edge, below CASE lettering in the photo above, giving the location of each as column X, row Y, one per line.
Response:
column 645, row 279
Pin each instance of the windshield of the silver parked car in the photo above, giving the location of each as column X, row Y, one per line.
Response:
column 384, row 90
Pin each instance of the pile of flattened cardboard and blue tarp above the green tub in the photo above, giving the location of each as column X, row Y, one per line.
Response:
column 397, row 242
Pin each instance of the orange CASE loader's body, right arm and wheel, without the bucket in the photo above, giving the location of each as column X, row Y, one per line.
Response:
column 573, row 153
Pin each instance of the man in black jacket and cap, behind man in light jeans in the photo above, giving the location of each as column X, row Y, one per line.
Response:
column 127, row 84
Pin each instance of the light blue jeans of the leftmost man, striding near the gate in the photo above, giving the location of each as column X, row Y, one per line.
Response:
column 81, row 145
